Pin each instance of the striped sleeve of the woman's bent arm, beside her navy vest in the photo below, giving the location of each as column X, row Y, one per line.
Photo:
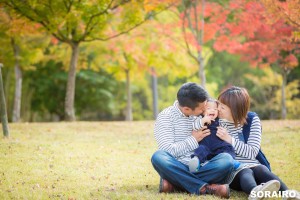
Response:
column 251, row 149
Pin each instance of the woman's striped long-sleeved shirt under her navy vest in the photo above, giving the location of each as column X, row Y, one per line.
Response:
column 245, row 152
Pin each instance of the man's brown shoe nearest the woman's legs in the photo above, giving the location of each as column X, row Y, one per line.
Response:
column 222, row 191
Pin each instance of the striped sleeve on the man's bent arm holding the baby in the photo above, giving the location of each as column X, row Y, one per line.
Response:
column 165, row 136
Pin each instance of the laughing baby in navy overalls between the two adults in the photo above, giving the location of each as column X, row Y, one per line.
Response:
column 211, row 145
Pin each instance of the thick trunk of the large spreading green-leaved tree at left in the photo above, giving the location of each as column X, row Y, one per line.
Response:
column 70, row 93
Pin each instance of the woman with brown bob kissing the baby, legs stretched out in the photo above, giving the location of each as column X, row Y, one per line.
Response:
column 233, row 108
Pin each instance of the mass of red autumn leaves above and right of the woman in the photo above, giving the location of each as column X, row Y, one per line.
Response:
column 257, row 40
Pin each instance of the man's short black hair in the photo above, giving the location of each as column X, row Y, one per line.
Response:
column 191, row 94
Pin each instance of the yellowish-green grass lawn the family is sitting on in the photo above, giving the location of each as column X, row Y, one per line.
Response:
column 111, row 160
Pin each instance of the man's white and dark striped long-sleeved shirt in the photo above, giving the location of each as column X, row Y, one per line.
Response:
column 173, row 133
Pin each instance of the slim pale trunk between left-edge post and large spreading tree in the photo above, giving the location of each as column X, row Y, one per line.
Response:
column 18, row 85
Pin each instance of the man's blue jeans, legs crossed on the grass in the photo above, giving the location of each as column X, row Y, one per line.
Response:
column 179, row 175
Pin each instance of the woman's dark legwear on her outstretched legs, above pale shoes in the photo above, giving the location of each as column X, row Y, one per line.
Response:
column 249, row 178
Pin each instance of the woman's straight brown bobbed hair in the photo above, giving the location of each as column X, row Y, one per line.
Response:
column 238, row 100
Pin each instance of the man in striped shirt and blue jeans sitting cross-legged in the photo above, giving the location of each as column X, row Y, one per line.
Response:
column 177, row 142
